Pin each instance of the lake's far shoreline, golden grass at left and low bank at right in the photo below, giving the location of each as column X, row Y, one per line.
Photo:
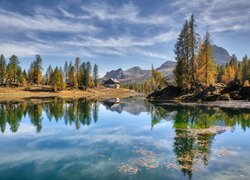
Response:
column 19, row 94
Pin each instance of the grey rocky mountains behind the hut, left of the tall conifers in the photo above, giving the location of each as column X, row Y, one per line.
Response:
column 136, row 74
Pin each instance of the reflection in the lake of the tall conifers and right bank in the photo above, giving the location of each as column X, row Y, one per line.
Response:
column 195, row 129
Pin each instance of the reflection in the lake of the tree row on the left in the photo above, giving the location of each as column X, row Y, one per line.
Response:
column 77, row 112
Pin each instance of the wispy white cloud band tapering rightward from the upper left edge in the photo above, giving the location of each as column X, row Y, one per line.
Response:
column 15, row 22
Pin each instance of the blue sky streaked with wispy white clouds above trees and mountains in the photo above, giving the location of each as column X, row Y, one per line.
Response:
column 116, row 33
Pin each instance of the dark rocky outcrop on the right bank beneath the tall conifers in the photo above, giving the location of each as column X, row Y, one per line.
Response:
column 201, row 92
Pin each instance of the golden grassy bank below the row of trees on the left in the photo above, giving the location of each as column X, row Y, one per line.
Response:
column 19, row 93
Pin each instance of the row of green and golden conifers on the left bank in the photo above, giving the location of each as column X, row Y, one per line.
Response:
column 77, row 75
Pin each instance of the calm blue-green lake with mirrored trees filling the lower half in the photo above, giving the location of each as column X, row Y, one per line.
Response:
column 132, row 139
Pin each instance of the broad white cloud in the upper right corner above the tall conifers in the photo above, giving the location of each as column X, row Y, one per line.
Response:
column 217, row 15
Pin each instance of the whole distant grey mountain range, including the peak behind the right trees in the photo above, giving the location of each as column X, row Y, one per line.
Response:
column 138, row 75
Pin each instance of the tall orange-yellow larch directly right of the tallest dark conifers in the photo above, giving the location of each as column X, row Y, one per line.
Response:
column 206, row 69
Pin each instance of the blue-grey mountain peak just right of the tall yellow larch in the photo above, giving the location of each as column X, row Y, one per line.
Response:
column 221, row 55
